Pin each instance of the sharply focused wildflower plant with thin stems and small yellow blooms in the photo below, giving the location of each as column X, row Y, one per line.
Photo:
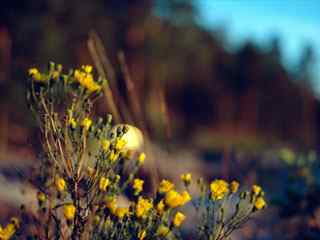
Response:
column 87, row 171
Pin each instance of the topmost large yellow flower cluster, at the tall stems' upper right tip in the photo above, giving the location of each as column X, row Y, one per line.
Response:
column 85, row 78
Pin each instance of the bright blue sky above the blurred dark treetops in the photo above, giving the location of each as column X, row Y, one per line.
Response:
column 296, row 22
